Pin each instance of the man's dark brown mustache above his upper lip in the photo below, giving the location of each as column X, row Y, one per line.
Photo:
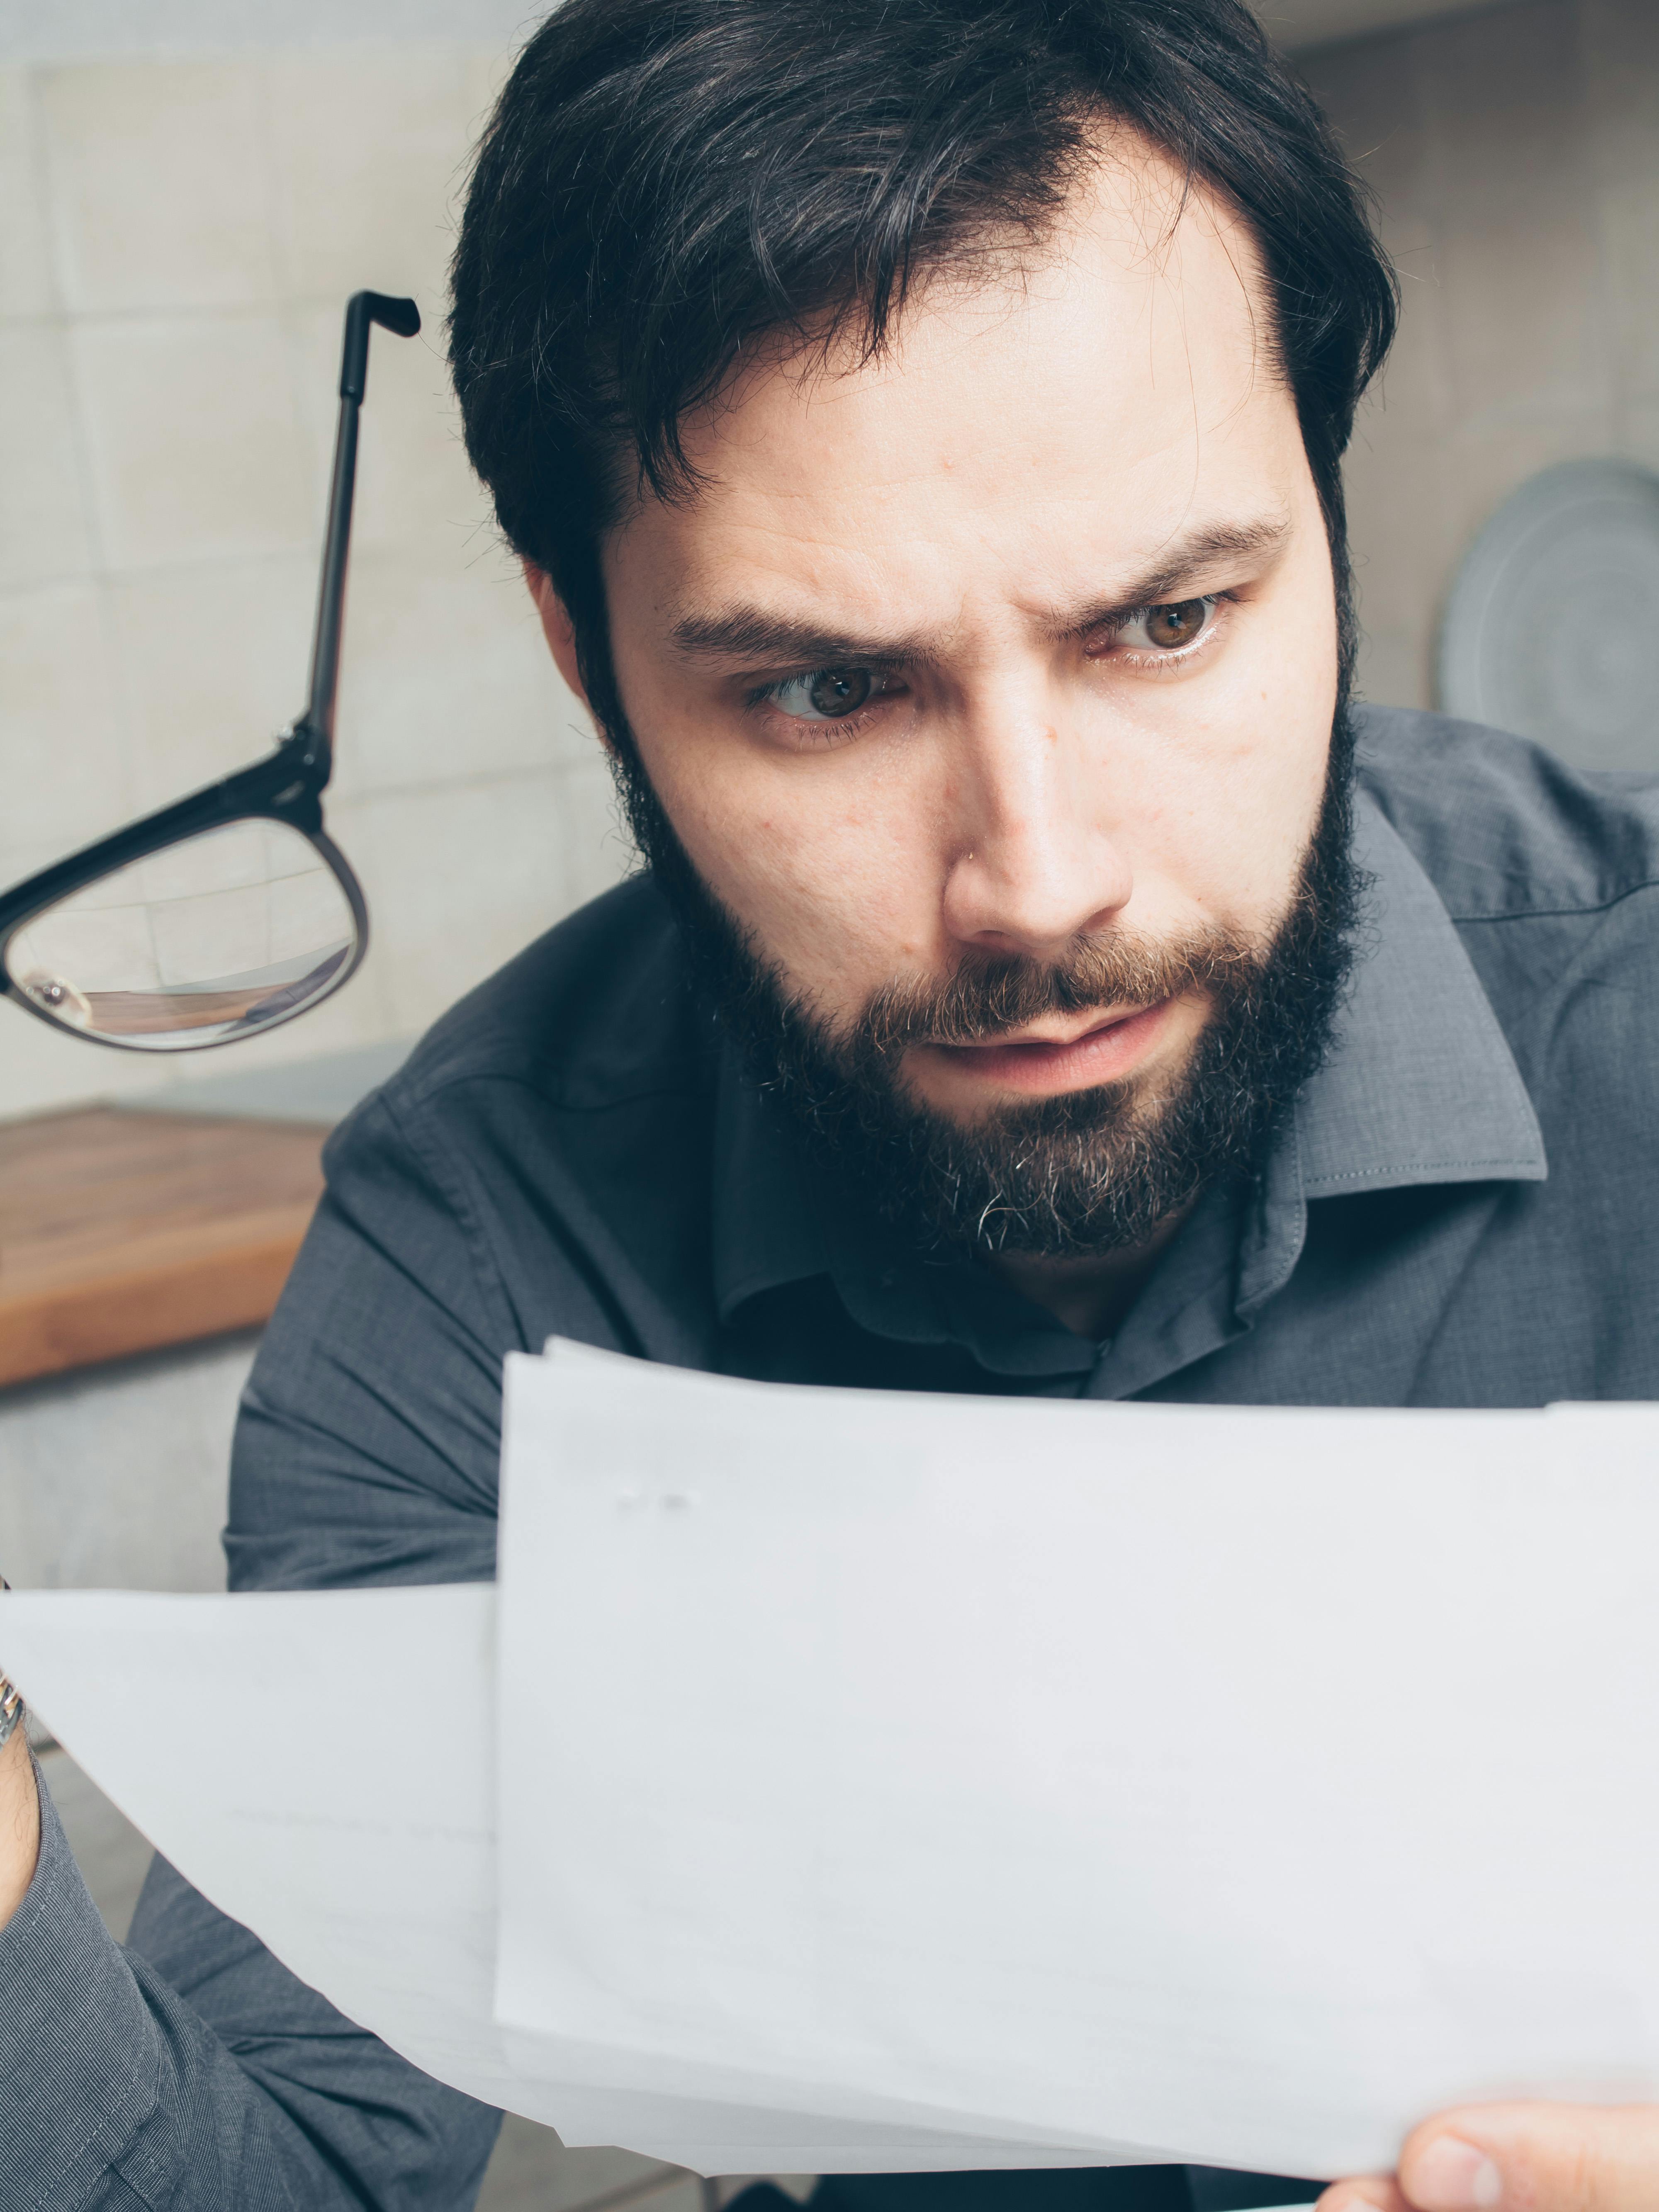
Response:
column 988, row 997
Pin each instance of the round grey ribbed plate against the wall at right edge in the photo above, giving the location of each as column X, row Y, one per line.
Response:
column 1554, row 623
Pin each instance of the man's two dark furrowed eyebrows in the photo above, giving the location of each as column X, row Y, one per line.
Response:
column 753, row 636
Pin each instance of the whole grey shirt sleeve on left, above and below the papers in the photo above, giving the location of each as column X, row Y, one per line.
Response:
column 194, row 2069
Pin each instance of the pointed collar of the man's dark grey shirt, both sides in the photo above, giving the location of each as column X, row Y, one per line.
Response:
column 1419, row 1089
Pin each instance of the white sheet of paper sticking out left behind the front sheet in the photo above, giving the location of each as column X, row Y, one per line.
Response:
column 322, row 1768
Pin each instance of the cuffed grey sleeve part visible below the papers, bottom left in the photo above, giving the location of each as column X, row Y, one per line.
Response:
column 121, row 2091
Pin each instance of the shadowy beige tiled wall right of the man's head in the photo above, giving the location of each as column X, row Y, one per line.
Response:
column 1516, row 160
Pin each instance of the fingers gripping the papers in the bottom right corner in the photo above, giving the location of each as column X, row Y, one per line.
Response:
column 1519, row 2158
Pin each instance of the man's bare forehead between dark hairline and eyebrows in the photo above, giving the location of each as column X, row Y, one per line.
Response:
column 1036, row 419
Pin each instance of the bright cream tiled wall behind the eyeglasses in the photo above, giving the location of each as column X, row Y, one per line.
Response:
column 178, row 240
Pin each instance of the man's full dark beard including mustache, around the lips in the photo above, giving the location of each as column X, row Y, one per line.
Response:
column 1063, row 1178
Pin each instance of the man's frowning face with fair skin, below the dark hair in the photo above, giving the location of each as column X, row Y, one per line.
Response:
column 1012, row 647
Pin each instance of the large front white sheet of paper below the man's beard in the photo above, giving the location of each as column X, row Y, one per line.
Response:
column 1233, row 1784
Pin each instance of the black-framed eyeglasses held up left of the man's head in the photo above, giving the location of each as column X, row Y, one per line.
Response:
column 227, row 912
